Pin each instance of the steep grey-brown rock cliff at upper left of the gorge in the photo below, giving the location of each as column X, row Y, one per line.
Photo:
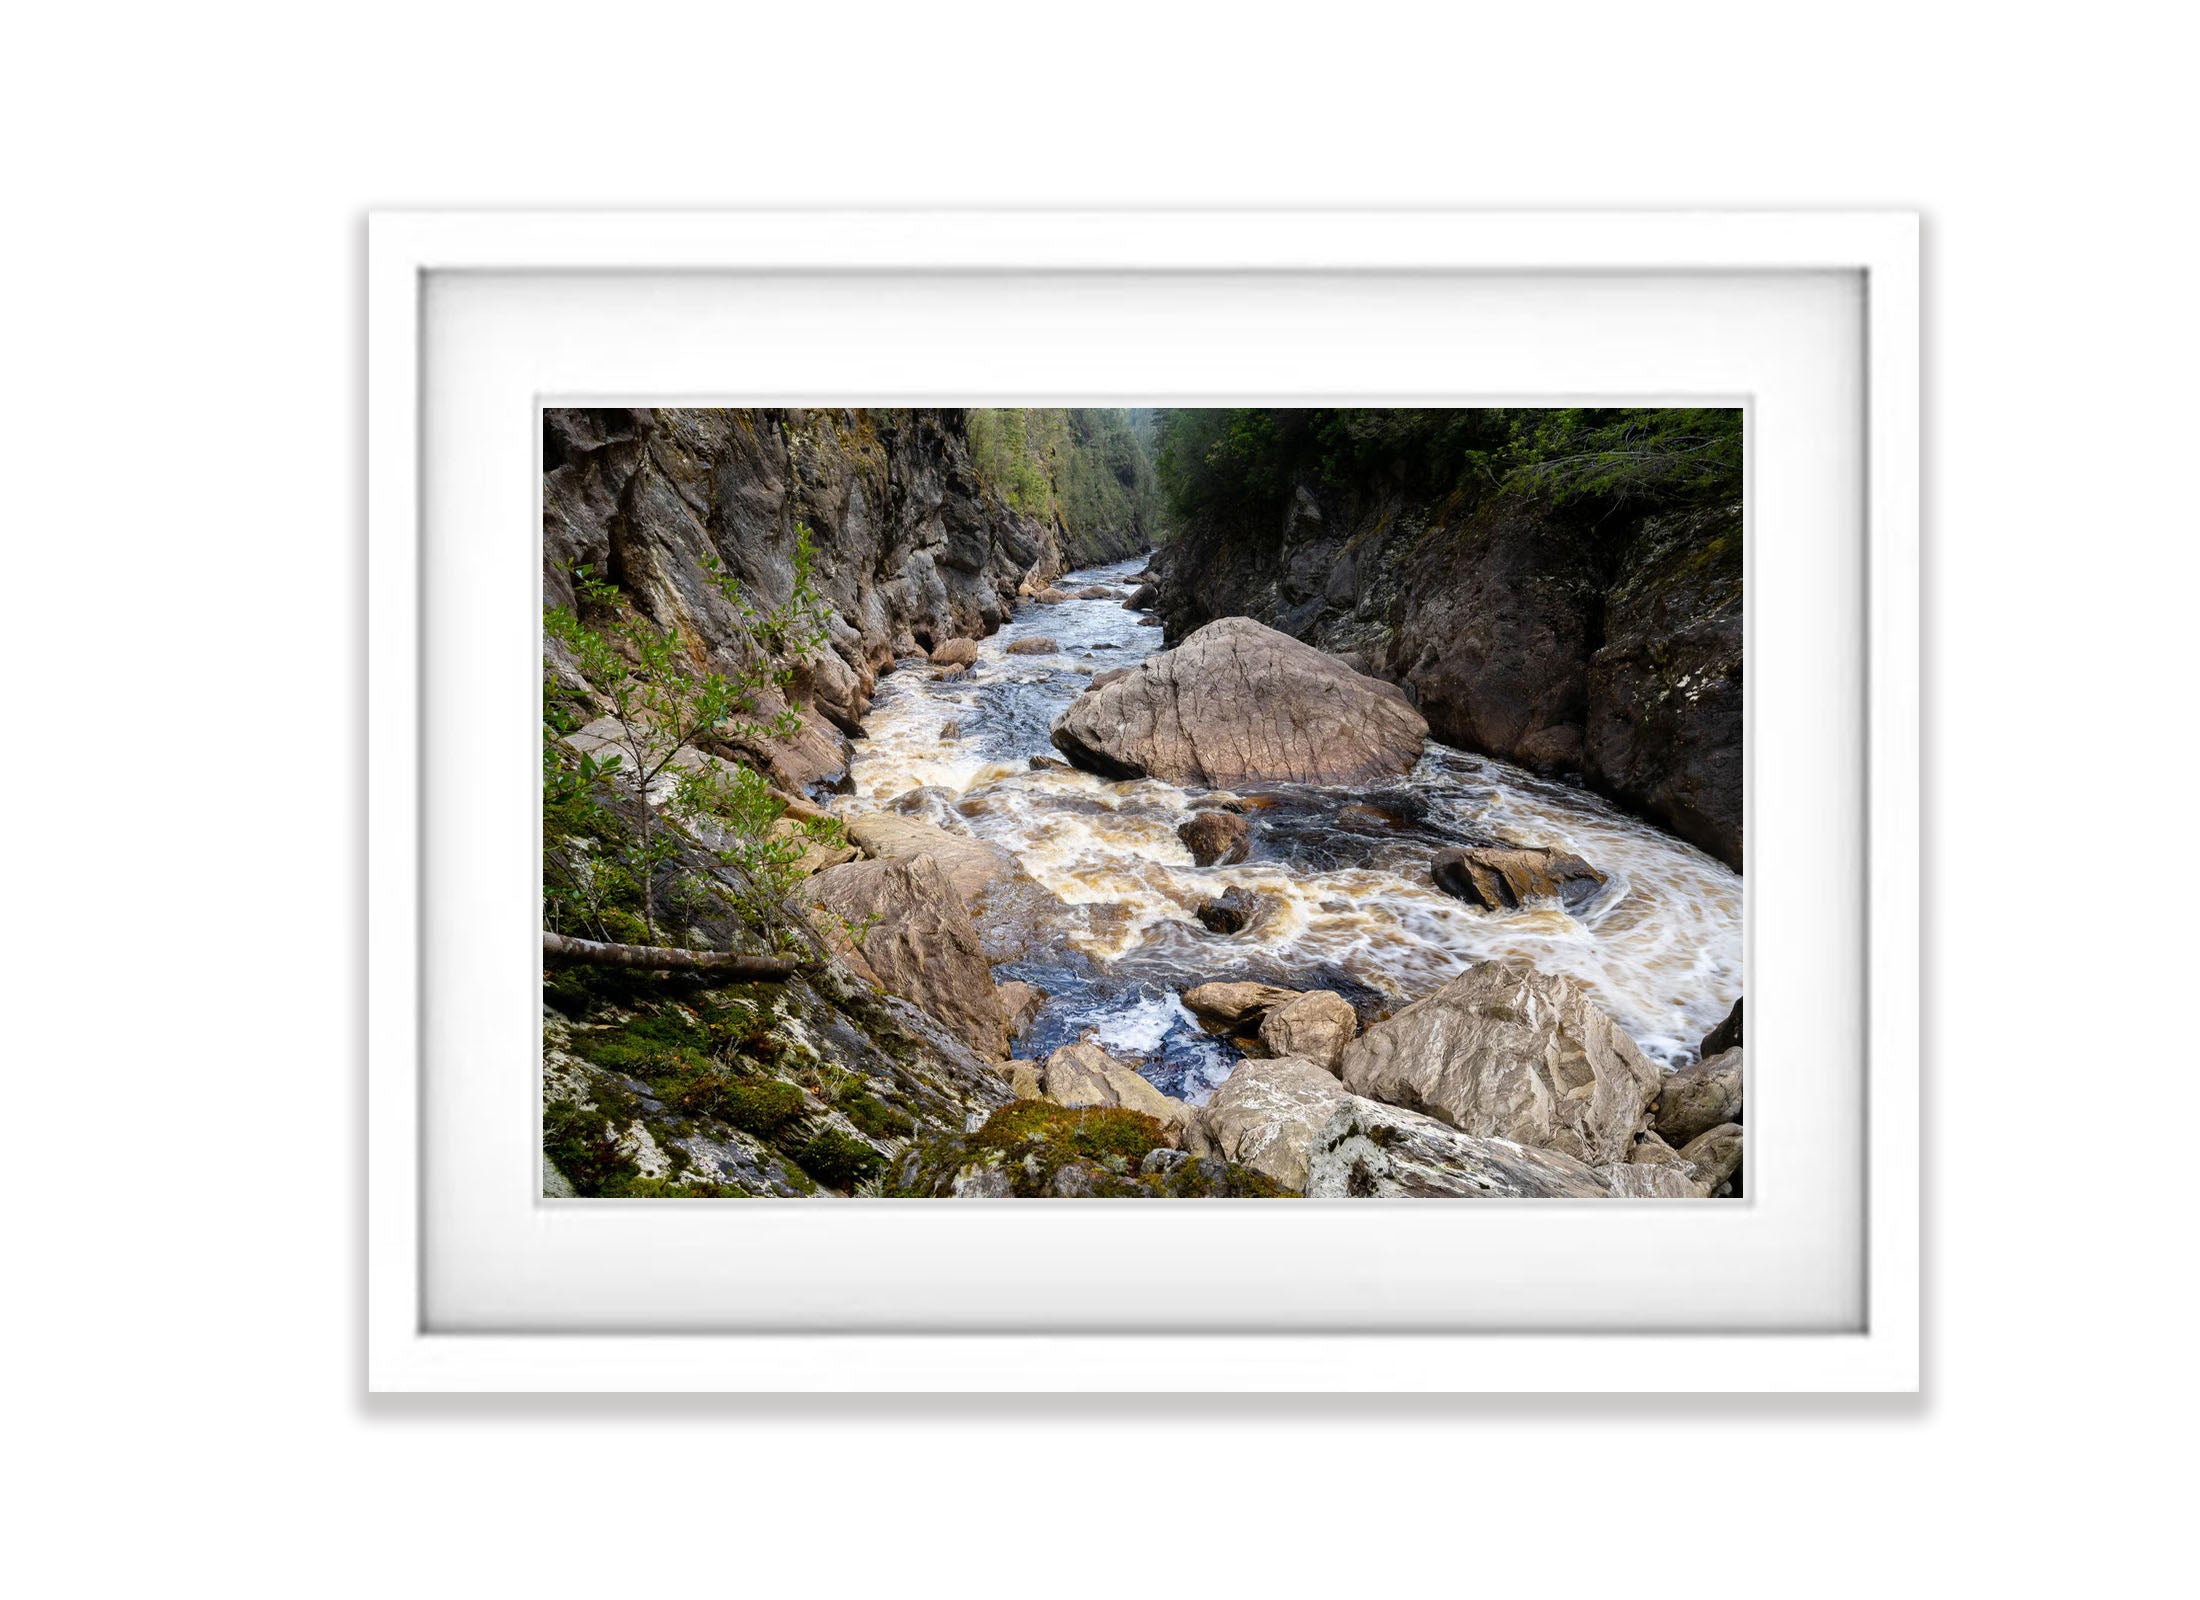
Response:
column 912, row 547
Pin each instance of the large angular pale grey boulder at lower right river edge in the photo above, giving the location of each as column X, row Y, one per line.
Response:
column 1512, row 1053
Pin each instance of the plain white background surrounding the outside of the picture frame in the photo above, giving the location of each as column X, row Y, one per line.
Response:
column 184, row 529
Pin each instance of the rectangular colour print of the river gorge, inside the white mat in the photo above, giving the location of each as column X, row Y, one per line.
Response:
column 1143, row 804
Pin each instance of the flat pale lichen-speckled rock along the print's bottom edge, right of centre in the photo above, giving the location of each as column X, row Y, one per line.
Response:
column 1378, row 1152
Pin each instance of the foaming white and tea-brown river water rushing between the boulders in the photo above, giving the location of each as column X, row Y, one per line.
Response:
column 1345, row 873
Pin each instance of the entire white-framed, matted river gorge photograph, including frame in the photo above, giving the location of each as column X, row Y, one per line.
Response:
column 1035, row 802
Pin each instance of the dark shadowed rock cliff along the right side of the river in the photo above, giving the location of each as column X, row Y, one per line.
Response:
column 1576, row 644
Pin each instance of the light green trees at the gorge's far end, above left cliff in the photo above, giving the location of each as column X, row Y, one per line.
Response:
column 1081, row 468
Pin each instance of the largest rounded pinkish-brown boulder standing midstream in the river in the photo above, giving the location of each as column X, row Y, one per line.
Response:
column 1240, row 703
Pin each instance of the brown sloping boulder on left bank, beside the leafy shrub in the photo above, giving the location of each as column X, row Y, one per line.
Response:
column 918, row 943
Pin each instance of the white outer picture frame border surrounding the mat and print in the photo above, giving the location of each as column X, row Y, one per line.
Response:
column 624, row 254
